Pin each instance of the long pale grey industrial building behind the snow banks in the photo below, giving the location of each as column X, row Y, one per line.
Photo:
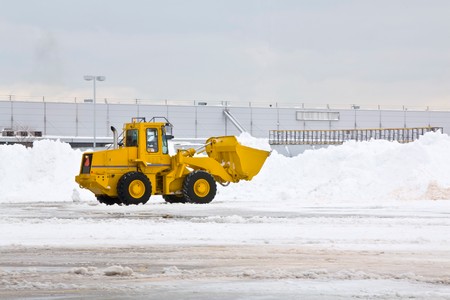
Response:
column 79, row 122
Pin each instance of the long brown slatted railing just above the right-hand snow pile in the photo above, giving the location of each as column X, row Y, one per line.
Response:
column 336, row 137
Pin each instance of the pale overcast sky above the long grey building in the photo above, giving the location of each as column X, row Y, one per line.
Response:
column 316, row 51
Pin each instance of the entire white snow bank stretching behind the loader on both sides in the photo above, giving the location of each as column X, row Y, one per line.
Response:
column 354, row 171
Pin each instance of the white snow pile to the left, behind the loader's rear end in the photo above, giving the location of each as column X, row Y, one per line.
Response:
column 44, row 172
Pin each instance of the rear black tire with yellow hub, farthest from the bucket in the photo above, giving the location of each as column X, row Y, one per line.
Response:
column 134, row 188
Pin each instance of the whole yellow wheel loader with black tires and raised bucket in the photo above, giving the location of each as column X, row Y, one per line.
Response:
column 140, row 166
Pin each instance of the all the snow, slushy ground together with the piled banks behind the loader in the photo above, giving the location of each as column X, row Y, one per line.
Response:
column 365, row 219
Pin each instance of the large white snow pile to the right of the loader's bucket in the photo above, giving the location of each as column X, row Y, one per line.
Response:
column 354, row 171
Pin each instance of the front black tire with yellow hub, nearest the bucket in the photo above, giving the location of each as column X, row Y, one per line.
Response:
column 199, row 187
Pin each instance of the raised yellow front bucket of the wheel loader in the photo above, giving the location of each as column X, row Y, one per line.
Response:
column 241, row 162
